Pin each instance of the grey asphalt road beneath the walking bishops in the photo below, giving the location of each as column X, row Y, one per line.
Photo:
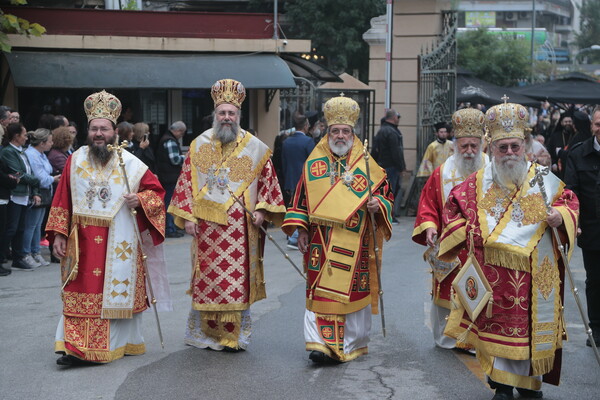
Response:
column 404, row 365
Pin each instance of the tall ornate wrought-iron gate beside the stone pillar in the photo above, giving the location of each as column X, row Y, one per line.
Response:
column 437, row 95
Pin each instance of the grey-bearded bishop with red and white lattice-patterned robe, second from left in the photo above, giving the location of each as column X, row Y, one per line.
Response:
column 227, row 251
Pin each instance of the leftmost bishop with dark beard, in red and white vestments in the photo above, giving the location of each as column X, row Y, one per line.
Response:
column 102, row 270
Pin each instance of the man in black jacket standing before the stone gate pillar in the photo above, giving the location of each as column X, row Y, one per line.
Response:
column 389, row 152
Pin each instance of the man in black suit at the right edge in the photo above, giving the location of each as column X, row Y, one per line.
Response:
column 582, row 176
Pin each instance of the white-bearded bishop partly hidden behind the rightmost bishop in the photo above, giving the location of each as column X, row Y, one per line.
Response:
column 467, row 158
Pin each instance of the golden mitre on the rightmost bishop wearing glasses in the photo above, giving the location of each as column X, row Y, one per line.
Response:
column 506, row 120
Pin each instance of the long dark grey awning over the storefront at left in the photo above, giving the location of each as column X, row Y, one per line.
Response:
column 146, row 71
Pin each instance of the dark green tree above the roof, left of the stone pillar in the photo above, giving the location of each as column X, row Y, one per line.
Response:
column 335, row 28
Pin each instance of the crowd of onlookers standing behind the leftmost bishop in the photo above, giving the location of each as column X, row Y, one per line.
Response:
column 31, row 165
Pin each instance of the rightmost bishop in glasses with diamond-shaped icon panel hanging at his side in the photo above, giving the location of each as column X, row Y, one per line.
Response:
column 502, row 219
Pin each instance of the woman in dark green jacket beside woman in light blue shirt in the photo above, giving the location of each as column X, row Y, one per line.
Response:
column 26, row 192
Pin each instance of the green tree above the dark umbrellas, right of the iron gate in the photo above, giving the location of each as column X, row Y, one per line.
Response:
column 497, row 59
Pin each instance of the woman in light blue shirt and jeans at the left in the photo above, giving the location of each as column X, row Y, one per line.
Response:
column 40, row 142
